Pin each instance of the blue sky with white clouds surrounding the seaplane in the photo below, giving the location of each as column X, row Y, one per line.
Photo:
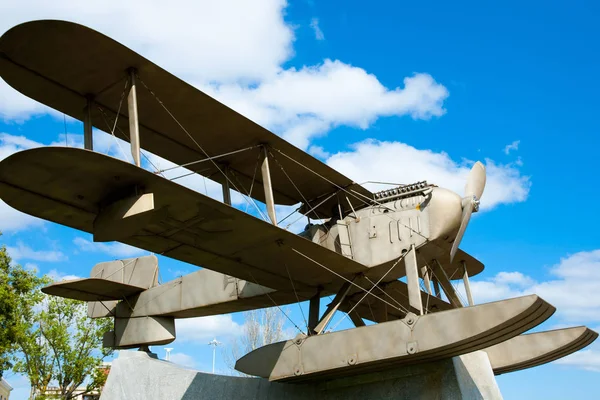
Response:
column 388, row 90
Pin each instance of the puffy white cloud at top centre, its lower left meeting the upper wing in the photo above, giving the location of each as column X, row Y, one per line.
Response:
column 304, row 103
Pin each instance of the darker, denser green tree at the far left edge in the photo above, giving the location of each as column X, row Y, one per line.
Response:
column 18, row 296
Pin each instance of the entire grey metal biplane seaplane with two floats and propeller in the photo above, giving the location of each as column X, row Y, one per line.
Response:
column 356, row 247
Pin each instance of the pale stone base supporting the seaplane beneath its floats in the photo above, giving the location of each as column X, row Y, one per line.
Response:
column 138, row 375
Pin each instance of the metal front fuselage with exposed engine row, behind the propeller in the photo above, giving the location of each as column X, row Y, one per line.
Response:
column 377, row 235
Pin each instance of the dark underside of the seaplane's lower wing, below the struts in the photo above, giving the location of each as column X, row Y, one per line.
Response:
column 70, row 186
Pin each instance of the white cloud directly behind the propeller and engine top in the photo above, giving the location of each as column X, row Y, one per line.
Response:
column 372, row 160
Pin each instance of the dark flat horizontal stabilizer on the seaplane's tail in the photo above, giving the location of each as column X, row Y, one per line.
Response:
column 92, row 289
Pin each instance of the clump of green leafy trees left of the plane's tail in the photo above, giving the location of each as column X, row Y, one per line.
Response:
column 50, row 340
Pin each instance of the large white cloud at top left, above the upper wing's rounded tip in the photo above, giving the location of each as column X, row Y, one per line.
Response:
column 225, row 40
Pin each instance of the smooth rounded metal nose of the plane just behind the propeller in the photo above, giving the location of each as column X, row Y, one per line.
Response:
column 445, row 210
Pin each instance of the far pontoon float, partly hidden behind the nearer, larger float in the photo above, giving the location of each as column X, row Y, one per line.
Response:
column 535, row 349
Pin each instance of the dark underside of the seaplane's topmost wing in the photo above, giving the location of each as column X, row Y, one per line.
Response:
column 61, row 63
